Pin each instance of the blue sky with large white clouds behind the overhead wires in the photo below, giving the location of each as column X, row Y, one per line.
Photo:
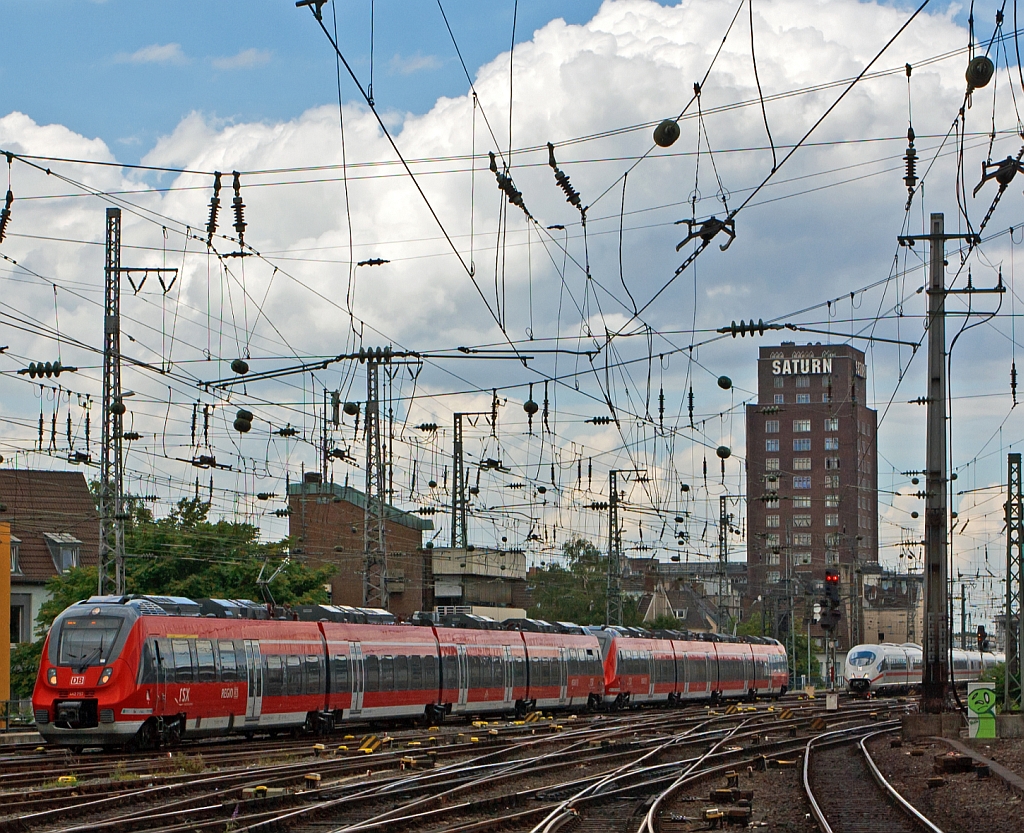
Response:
column 190, row 90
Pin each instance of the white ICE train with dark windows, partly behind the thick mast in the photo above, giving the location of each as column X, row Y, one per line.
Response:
column 891, row 669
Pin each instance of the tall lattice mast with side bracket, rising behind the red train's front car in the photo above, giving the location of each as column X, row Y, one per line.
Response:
column 112, row 540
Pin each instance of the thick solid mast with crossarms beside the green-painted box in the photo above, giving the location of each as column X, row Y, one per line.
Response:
column 935, row 684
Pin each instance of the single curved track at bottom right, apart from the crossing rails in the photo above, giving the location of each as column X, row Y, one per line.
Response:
column 848, row 795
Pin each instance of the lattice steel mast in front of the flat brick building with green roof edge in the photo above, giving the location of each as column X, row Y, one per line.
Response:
column 375, row 594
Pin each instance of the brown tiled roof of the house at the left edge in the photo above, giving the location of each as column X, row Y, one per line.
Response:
column 55, row 504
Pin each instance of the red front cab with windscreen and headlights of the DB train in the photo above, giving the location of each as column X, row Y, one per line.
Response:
column 84, row 690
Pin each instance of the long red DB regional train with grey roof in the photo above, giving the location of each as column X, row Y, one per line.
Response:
column 143, row 671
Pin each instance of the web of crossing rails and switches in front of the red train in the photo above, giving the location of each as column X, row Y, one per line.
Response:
column 510, row 780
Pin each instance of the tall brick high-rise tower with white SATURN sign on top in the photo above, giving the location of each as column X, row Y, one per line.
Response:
column 813, row 473
